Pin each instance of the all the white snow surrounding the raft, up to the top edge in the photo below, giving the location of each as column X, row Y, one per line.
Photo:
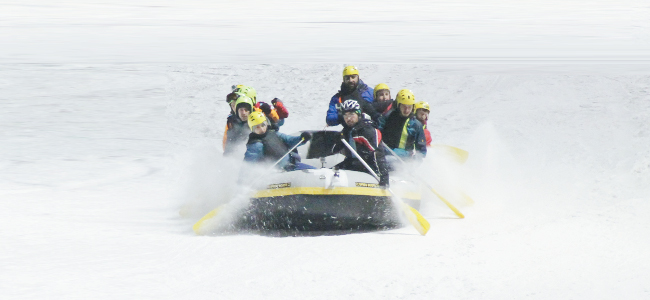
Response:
column 111, row 151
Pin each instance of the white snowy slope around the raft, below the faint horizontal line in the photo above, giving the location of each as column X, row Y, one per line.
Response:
column 98, row 160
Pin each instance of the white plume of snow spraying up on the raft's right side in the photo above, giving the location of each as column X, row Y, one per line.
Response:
column 490, row 178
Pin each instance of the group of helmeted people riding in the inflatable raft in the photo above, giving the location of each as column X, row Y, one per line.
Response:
column 372, row 123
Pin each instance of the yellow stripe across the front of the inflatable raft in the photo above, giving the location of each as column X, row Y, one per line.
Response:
column 322, row 191
